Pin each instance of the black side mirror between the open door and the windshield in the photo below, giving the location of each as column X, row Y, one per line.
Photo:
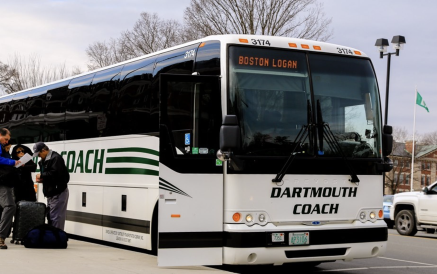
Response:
column 229, row 134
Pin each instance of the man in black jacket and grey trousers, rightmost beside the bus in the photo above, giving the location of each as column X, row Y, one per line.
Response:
column 54, row 177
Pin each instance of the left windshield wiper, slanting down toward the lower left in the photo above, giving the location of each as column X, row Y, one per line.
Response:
column 305, row 131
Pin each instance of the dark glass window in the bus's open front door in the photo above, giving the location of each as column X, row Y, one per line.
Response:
column 193, row 117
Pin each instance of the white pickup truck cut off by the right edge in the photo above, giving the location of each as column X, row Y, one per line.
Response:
column 413, row 211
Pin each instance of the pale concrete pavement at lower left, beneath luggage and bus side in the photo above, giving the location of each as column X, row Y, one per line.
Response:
column 83, row 257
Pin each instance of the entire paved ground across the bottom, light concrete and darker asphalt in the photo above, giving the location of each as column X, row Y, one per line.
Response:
column 404, row 255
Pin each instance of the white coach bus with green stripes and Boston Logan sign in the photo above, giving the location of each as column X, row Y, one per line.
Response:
column 233, row 149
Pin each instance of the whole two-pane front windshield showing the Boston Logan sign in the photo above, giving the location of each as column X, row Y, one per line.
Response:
column 269, row 91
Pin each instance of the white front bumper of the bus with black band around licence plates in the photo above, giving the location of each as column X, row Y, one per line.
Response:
column 254, row 245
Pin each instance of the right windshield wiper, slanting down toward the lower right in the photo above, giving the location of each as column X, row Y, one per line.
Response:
column 325, row 133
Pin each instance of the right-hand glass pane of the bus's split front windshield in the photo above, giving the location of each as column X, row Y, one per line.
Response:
column 348, row 94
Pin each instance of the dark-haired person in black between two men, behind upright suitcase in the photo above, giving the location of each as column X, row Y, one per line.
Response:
column 24, row 189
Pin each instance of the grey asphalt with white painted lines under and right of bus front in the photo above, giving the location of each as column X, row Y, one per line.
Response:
column 416, row 254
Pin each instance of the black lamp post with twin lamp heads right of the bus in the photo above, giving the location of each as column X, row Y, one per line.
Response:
column 398, row 42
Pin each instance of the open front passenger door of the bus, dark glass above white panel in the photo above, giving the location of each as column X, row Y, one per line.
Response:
column 190, row 215
